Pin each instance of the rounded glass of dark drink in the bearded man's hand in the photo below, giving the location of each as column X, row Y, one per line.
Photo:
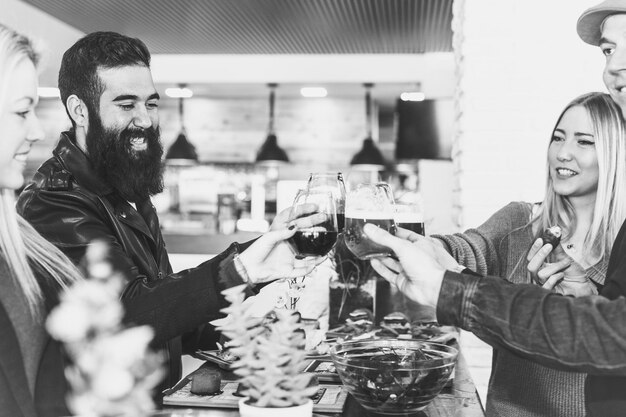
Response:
column 318, row 239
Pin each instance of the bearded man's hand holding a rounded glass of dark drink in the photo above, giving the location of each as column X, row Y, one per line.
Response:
column 270, row 257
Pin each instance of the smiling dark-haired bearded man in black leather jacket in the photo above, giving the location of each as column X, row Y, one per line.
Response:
column 98, row 185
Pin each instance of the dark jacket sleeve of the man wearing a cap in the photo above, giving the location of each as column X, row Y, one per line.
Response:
column 586, row 334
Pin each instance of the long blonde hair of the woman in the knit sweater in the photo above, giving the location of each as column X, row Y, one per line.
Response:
column 610, row 206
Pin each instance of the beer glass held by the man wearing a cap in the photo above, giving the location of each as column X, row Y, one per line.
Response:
column 368, row 203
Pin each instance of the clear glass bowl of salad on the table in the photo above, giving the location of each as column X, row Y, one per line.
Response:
column 393, row 376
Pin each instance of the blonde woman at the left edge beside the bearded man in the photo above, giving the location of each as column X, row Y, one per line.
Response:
column 32, row 270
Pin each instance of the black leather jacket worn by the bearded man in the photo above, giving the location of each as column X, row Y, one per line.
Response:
column 70, row 206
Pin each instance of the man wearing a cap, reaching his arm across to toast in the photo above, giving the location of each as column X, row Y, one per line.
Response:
column 586, row 334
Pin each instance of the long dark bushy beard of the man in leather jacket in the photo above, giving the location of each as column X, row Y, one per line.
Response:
column 136, row 175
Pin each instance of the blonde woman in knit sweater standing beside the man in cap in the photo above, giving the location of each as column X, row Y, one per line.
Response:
column 586, row 198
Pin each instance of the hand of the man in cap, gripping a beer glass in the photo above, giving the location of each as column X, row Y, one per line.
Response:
column 417, row 272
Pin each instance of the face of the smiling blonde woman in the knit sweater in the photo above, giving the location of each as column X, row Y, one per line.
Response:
column 572, row 157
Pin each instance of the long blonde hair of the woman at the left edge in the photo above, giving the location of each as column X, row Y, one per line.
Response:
column 24, row 250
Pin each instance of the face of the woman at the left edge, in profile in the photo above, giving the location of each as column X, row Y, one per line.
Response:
column 19, row 126
